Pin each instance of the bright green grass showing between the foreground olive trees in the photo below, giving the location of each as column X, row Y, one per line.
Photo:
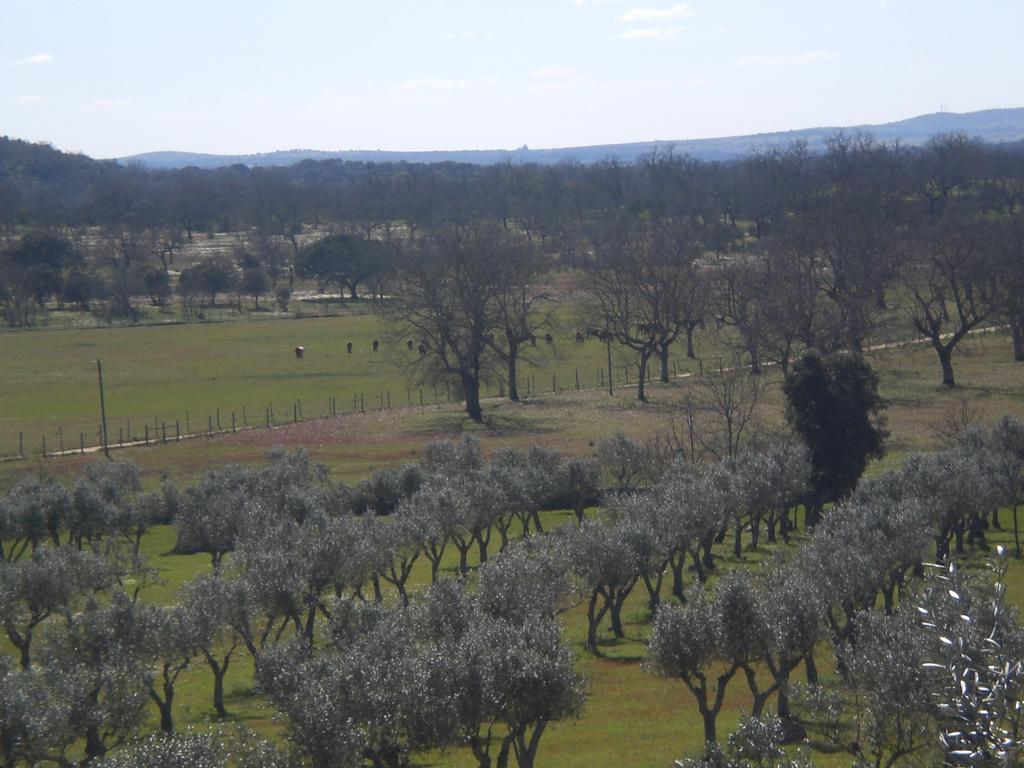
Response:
column 632, row 717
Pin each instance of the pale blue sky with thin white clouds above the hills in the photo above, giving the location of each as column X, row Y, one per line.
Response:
column 114, row 77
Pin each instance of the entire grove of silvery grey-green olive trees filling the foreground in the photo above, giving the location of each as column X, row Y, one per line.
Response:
column 363, row 668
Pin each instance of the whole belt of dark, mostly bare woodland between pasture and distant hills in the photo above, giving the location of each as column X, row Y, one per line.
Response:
column 789, row 248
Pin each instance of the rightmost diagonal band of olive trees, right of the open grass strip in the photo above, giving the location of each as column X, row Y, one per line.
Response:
column 855, row 586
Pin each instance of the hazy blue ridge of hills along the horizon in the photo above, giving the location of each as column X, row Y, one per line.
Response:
column 996, row 126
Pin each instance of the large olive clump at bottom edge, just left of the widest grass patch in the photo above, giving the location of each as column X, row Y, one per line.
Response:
column 440, row 672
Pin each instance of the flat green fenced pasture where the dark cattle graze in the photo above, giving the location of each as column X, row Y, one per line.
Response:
column 158, row 375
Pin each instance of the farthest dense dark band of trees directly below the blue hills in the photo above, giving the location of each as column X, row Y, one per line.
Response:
column 41, row 187
